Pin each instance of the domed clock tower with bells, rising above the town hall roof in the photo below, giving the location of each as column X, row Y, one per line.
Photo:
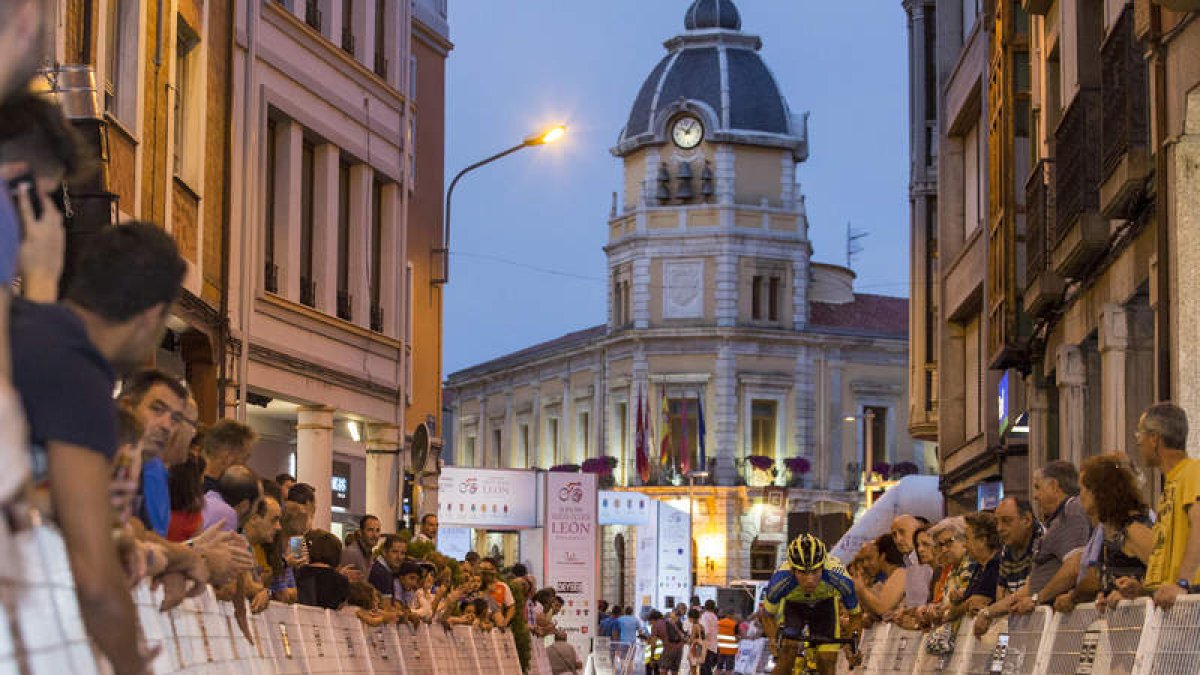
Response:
column 711, row 229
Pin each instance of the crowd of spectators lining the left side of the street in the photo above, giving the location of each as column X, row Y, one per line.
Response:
column 139, row 488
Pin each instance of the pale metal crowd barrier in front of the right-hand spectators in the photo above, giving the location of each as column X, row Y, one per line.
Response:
column 1135, row 640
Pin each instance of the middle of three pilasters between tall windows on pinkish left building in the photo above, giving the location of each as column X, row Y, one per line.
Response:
column 326, row 225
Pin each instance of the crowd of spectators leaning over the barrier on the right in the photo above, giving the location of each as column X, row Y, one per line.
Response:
column 1088, row 536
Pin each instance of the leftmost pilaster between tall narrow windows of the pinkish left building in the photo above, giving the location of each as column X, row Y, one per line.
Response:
column 290, row 146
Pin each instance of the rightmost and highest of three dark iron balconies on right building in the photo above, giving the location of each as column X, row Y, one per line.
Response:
column 1125, row 121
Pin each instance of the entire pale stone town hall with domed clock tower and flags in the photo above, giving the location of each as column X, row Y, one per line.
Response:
column 717, row 310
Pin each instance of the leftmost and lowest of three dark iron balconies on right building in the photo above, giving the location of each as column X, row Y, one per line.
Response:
column 1043, row 286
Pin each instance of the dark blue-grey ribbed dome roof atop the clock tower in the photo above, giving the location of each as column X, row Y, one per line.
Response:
column 716, row 73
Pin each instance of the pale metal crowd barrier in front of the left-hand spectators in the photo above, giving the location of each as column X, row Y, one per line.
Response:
column 43, row 632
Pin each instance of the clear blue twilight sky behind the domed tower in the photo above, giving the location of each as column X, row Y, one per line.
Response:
column 527, row 232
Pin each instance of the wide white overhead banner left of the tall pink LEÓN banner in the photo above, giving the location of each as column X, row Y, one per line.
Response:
column 490, row 499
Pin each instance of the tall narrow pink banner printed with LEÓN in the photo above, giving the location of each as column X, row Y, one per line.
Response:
column 573, row 553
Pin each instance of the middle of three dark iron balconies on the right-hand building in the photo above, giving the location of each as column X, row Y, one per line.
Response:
column 1081, row 232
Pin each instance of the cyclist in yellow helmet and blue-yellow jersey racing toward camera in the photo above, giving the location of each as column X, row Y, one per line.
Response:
column 812, row 590
